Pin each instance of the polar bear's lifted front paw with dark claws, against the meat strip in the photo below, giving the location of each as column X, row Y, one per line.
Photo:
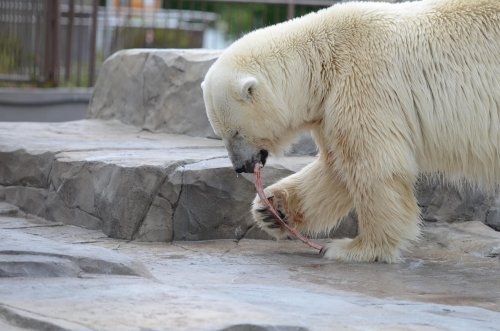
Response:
column 266, row 220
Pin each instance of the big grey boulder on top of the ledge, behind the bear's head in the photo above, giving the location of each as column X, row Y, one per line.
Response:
column 157, row 90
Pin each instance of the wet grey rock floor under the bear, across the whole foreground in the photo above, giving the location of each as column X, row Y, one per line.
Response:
column 67, row 278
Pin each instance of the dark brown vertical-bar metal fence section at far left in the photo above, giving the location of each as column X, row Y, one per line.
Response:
column 48, row 42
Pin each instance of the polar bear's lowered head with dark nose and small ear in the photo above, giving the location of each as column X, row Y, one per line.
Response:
column 247, row 111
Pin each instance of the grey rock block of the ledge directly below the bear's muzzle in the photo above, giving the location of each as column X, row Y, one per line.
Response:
column 205, row 188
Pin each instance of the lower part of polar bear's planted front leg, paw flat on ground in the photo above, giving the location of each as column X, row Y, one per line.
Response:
column 388, row 220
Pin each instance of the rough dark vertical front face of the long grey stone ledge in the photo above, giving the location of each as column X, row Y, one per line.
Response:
column 169, row 208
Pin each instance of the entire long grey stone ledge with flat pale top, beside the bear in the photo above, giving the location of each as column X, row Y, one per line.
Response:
column 130, row 183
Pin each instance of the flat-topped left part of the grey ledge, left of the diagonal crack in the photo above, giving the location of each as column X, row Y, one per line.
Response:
column 81, row 173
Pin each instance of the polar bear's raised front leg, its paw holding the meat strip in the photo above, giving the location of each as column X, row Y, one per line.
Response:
column 312, row 200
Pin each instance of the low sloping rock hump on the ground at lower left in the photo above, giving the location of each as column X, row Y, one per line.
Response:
column 27, row 255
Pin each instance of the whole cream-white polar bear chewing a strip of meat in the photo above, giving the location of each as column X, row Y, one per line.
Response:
column 387, row 90
